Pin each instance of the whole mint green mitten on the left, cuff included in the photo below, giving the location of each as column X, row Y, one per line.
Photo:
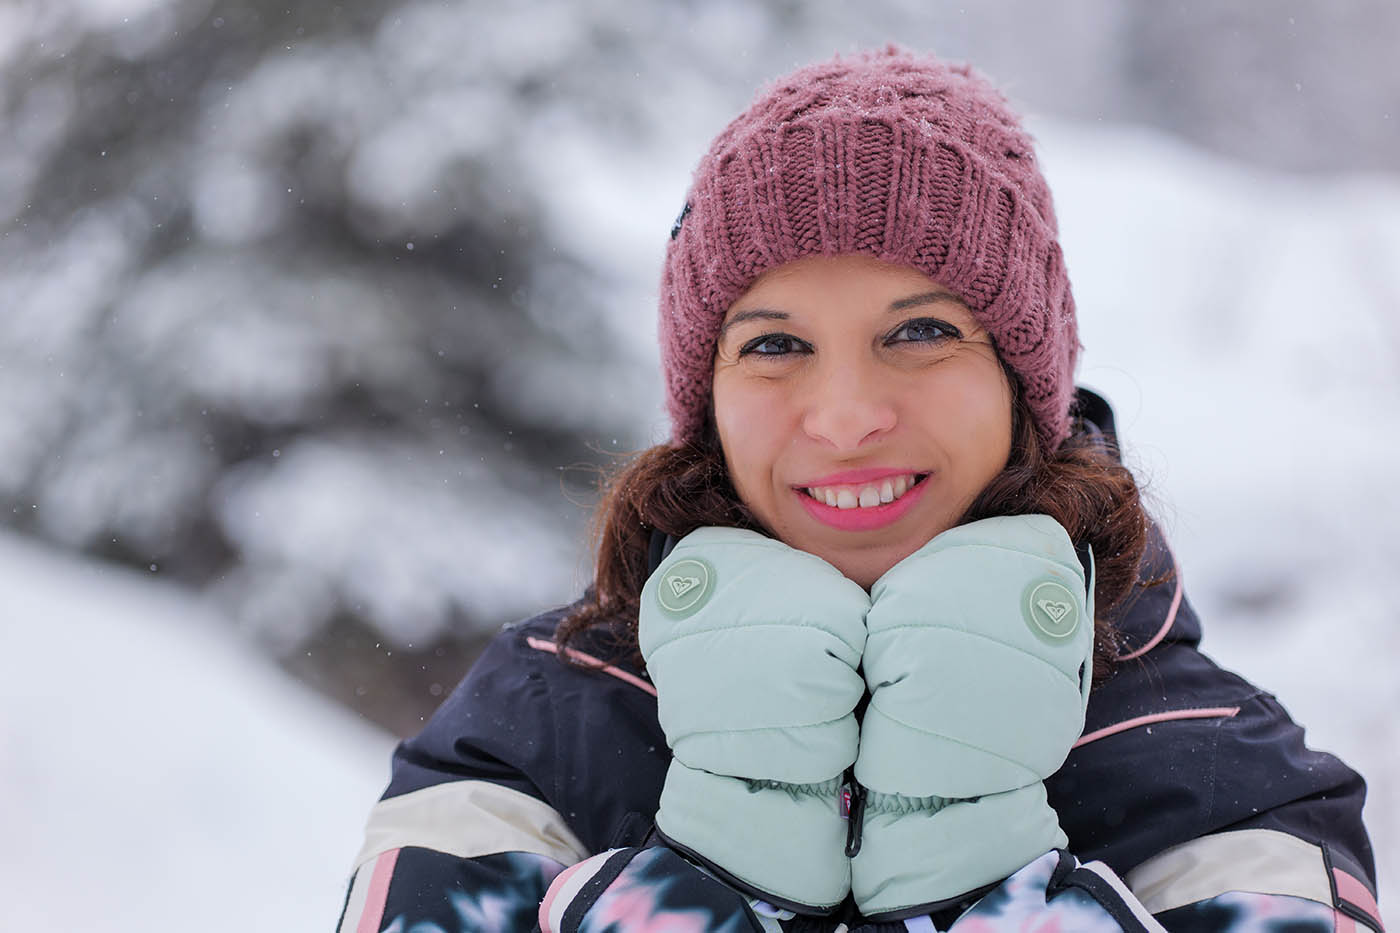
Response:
column 754, row 649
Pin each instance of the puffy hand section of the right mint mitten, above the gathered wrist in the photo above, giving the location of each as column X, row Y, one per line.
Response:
column 976, row 684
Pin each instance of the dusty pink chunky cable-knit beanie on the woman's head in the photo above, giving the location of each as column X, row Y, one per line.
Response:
column 890, row 155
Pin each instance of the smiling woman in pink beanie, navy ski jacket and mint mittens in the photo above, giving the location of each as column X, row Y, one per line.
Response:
column 884, row 638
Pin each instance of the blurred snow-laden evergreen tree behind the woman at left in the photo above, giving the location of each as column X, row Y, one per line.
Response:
column 285, row 316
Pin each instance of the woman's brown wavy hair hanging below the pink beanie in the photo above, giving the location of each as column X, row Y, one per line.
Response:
column 1083, row 485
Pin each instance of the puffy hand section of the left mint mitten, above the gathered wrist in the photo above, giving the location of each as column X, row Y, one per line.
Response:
column 761, row 679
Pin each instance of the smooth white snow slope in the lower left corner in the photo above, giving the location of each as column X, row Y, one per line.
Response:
column 155, row 773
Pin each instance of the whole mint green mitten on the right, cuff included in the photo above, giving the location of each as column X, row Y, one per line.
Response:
column 979, row 661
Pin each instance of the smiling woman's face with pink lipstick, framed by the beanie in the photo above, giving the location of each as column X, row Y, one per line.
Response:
column 862, row 410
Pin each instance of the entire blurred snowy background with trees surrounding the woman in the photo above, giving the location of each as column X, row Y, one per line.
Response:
column 316, row 324
